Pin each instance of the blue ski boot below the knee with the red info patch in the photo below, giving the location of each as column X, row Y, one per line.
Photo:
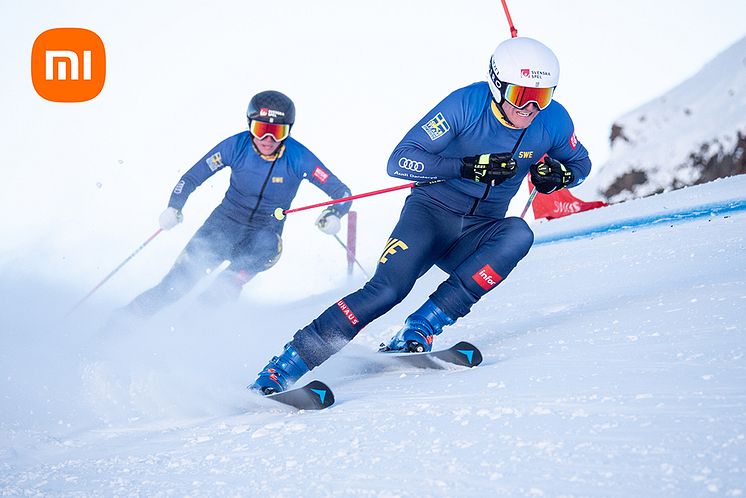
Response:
column 419, row 329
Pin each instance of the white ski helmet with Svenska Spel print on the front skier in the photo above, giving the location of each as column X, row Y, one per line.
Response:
column 523, row 62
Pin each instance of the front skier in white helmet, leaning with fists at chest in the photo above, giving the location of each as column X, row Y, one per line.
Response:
column 481, row 141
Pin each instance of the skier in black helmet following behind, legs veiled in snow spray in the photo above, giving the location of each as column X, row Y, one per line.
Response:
column 267, row 167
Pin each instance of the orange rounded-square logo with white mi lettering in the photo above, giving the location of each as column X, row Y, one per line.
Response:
column 68, row 65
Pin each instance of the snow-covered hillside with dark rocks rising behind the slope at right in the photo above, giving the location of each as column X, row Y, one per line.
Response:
column 702, row 116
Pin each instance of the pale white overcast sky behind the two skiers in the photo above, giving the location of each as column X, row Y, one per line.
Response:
column 180, row 74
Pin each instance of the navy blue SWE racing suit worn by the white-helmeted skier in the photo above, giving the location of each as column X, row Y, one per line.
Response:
column 457, row 224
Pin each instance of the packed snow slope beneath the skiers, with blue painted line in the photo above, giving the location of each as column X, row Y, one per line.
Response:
column 614, row 366
